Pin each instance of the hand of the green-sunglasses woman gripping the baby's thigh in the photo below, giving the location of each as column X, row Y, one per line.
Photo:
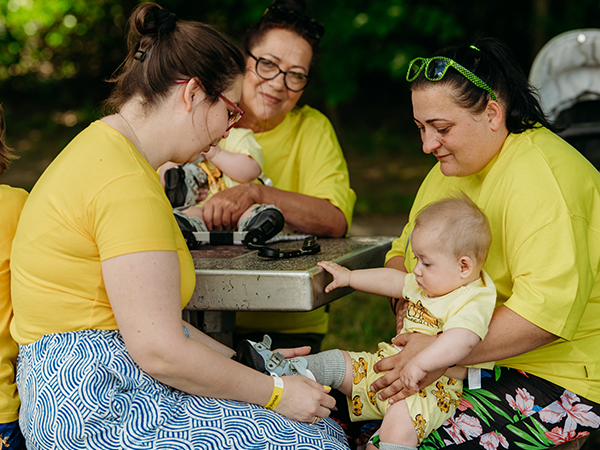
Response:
column 390, row 385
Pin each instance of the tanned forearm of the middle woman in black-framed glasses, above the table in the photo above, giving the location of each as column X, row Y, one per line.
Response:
column 304, row 213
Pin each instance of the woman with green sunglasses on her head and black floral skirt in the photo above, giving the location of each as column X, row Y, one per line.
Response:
column 479, row 117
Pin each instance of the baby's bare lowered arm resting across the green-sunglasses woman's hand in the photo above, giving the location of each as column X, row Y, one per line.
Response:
column 448, row 349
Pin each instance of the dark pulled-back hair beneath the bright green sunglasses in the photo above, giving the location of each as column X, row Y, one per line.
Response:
column 492, row 61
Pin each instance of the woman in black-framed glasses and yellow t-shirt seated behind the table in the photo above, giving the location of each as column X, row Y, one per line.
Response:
column 302, row 157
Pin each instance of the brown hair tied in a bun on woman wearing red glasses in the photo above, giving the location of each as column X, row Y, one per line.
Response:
column 163, row 49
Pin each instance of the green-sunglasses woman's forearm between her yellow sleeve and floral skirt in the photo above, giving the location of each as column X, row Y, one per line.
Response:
column 509, row 335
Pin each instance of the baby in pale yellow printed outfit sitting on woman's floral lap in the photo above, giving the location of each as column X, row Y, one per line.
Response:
column 448, row 294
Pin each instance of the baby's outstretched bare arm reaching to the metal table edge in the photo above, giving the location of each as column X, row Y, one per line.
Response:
column 380, row 281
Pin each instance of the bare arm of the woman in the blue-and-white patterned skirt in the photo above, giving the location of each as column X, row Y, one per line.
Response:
column 144, row 293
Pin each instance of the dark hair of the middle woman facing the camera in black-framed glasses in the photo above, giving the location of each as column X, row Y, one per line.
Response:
column 296, row 21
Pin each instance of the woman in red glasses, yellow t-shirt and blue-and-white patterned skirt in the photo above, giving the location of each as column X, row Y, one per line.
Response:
column 101, row 272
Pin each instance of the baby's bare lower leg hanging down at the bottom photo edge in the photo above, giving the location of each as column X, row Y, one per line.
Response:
column 397, row 427
